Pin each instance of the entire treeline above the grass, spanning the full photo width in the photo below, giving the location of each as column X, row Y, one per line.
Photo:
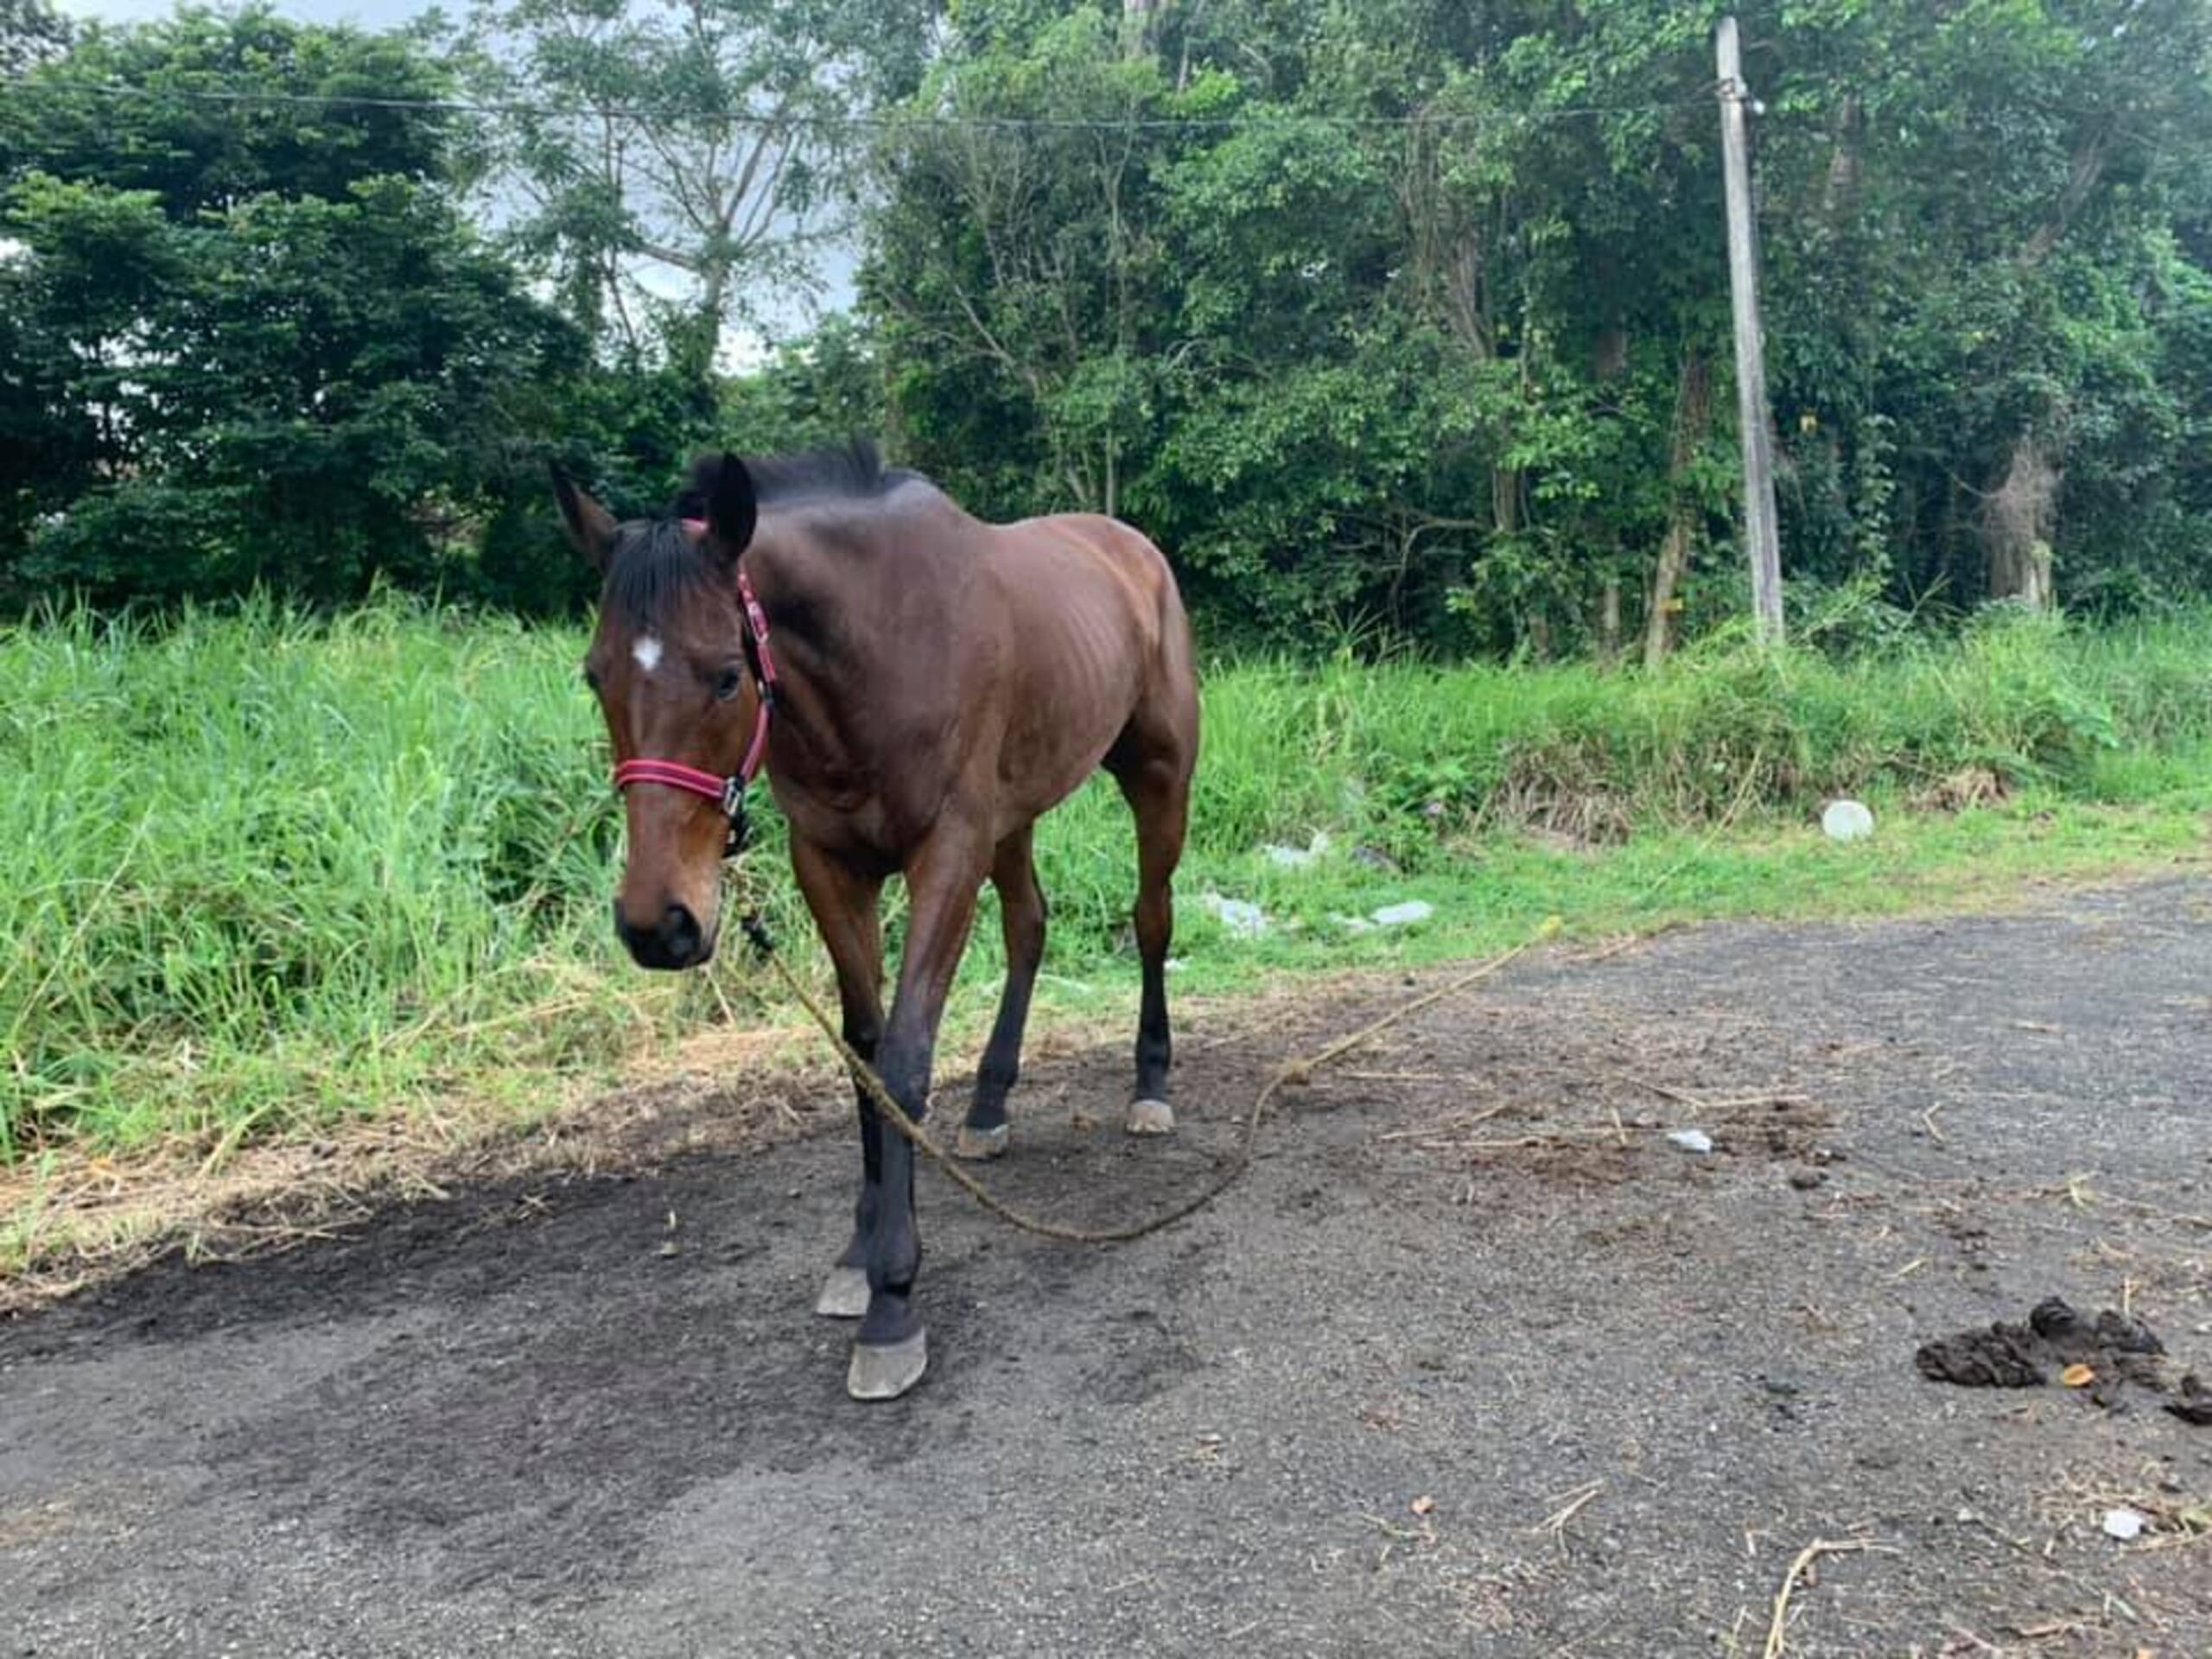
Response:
column 1404, row 315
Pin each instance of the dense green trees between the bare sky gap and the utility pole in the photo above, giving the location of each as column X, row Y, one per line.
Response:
column 1339, row 304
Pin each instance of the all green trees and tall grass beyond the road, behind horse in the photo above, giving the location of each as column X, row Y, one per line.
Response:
column 1399, row 324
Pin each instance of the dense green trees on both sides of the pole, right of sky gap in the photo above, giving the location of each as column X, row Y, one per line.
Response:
column 1417, row 311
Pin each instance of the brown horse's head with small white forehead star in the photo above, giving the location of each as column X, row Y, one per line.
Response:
column 669, row 667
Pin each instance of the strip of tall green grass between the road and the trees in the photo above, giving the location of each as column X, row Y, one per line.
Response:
column 271, row 873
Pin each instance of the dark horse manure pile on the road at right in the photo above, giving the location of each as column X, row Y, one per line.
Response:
column 2105, row 1357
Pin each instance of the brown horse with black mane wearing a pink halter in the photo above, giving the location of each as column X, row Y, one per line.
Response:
column 921, row 687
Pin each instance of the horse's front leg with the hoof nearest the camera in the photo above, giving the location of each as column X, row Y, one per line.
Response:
column 943, row 877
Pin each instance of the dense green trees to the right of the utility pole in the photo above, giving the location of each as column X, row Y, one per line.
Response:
column 1970, row 227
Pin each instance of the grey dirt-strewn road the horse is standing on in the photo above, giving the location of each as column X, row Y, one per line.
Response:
column 1474, row 1364
